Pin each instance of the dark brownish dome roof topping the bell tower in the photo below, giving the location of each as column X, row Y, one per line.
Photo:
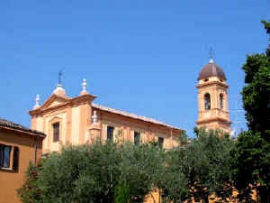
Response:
column 210, row 70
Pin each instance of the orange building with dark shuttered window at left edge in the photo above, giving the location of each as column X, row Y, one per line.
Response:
column 18, row 146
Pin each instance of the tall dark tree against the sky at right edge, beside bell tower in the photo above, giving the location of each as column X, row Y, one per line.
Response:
column 256, row 93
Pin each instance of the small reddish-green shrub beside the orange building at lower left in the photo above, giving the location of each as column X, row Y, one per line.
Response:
column 30, row 192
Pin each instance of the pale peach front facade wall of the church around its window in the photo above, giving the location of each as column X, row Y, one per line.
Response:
column 74, row 124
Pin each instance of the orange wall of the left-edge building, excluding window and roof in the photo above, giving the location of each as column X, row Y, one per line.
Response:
column 11, row 181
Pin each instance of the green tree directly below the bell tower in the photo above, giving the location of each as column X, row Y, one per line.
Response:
column 209, row 164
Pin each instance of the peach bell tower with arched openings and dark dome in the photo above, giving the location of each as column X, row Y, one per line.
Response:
column 213, row 98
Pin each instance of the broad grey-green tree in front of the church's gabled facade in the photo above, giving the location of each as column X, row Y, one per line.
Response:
column 80, row 174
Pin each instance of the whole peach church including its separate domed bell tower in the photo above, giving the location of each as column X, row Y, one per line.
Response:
column 78, row 120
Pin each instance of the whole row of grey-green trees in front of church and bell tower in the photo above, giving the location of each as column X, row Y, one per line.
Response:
column 126, row 173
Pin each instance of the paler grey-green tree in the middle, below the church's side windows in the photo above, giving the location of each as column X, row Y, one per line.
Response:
column 140, row 167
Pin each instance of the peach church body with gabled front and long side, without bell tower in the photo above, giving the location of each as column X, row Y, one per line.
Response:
column 78, row 121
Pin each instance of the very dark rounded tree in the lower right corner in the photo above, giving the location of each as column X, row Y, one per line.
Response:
column 251, row 164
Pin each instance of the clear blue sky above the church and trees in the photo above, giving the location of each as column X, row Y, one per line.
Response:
column 141, row 56
